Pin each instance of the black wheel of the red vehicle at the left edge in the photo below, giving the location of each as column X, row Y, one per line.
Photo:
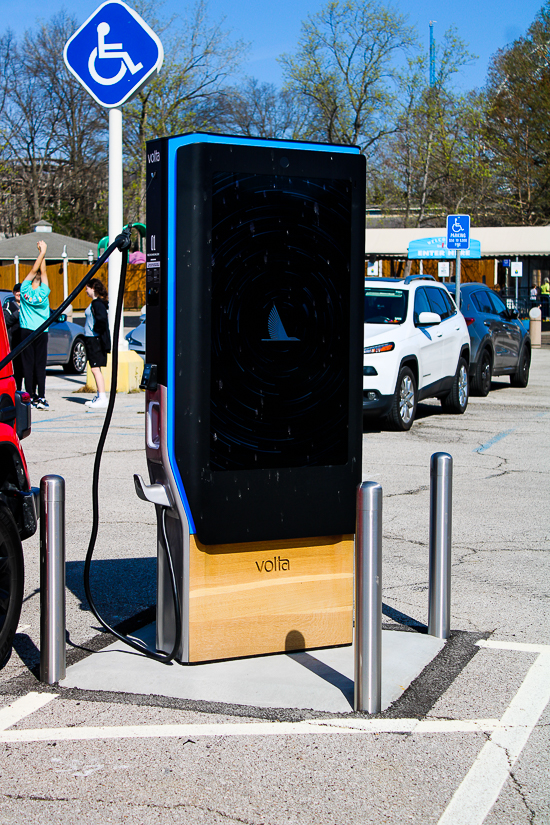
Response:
column 11, row 582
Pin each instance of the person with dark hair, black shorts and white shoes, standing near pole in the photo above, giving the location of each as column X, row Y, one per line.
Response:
column 97, row 339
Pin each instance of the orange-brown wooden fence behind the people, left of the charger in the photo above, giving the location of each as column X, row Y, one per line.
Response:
column 134, row 292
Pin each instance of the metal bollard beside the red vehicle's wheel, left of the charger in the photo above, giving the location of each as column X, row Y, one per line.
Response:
column 52, row 579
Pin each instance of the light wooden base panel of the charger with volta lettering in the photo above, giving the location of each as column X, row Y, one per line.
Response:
column 269, row 597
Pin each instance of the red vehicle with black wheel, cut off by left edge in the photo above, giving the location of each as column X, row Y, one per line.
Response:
column 18, row 518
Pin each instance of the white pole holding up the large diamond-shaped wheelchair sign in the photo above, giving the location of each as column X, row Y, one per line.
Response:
column 115, row 211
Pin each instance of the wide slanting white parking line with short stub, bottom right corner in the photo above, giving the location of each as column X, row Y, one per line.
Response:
column 481, row 787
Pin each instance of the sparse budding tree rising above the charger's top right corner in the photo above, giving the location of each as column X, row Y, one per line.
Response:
column 344, row 71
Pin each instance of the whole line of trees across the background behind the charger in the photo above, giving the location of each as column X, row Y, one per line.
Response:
column 356, row 77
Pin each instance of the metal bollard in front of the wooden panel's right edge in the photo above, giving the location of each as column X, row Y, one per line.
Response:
column 368, row 599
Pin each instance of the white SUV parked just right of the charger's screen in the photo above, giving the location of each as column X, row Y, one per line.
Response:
column 416, row 346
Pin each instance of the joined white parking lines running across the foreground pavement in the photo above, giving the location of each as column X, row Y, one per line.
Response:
column 471, row 802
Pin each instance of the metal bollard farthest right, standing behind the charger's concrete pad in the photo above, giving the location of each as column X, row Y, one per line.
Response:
column 441, row 496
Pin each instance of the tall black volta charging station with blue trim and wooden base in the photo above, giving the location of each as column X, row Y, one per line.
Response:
column 255, row 269
